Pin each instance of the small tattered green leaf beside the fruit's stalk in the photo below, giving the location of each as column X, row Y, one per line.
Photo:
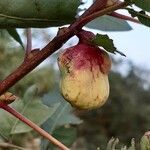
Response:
column 106, row 43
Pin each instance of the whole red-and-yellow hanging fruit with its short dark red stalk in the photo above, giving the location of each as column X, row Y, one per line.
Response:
column 84, row 73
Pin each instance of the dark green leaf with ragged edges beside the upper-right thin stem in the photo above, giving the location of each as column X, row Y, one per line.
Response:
column 142, row 16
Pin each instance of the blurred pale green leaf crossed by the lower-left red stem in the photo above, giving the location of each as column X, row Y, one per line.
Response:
column 36, row 112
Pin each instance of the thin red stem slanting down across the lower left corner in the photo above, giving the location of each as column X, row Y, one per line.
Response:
column 33, row 126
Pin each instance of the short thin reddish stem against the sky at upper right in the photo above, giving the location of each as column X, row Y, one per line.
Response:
column 120, row 16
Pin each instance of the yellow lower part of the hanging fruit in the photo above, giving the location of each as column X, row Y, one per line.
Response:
column 87, row 90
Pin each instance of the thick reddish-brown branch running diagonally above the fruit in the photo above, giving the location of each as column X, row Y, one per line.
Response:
column 52, row 46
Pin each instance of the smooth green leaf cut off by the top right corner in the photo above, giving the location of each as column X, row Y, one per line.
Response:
column 144, row 4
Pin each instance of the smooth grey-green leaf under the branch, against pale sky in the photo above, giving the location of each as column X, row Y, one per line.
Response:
column 108, row 23
